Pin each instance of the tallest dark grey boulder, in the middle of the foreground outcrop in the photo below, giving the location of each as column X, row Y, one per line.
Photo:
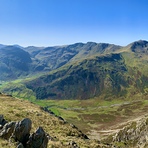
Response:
column 22, row 131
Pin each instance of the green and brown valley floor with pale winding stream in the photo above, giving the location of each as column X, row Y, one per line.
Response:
column 98, row 118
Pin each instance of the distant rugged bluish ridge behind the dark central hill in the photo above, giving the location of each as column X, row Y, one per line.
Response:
column 55, row 57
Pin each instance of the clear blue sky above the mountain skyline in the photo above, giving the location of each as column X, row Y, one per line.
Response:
column 60, row 22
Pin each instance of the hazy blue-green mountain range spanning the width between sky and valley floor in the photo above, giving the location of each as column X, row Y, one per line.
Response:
column 77, row 71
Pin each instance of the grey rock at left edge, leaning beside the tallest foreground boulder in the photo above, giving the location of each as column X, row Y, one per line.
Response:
column 7, row 130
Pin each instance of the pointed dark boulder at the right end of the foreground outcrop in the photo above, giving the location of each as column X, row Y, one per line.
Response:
column 39, row 139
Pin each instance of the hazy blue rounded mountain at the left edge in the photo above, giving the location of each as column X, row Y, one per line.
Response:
column 13, row 62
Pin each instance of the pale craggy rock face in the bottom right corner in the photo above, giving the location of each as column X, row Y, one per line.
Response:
column 135, row 134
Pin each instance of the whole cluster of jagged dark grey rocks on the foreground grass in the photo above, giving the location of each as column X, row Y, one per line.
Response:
column 20, row 132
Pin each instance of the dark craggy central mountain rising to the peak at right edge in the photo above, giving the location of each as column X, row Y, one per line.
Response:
column 122, row 74
